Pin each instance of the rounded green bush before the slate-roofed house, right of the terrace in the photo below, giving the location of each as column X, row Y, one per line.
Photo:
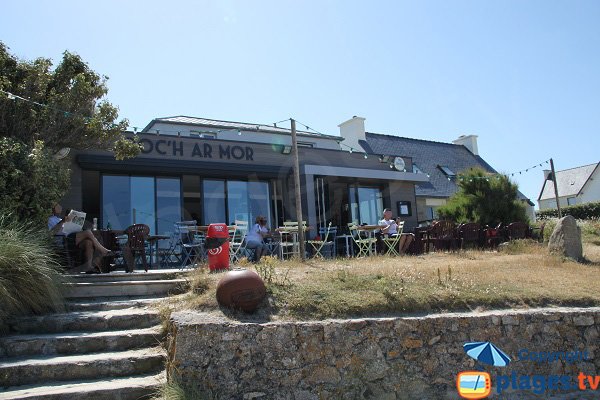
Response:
column 484, row 198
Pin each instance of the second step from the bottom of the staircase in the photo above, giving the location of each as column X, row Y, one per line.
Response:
column 27, row 371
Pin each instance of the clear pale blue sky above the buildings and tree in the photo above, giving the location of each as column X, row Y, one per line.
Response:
column 522, row 75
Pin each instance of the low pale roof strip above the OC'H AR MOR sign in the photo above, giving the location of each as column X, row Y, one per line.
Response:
column 244, row 126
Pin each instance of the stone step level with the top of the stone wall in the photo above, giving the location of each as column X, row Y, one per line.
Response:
column 88, row 321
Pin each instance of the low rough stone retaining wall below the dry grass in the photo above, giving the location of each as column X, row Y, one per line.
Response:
column 375, row 358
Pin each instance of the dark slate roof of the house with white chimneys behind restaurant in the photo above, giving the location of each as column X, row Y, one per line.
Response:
column 428, row 156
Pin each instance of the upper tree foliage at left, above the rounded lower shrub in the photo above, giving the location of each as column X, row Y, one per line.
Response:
column 71, row 110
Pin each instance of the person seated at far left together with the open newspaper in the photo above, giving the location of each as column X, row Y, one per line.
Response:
column 71, row 227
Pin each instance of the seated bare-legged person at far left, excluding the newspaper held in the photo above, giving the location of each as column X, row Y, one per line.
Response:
column 84, row 240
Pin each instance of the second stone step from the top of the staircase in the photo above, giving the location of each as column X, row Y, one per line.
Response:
column 125, row 288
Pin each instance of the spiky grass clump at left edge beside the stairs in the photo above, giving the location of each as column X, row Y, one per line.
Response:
column 30, row 279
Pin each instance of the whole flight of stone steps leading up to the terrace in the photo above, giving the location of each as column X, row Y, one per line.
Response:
column 106, row 346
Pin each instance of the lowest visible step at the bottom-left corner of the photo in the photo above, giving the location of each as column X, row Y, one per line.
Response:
column 131, row 388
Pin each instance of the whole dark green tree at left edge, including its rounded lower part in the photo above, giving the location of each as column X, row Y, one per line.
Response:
column 43, row 110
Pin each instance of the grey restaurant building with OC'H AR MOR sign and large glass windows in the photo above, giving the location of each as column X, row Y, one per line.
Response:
column 218, row 171
